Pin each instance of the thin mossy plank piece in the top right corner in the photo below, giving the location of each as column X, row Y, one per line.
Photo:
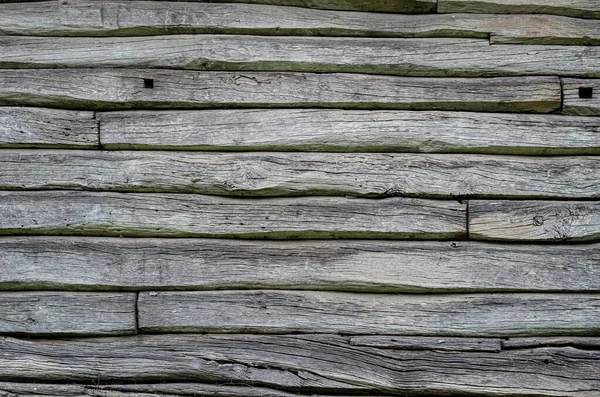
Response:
column 573, row 8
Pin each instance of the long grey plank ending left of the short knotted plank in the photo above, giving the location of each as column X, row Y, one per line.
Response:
column 180, row 215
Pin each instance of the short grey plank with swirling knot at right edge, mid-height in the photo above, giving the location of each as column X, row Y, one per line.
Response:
column 550, row 221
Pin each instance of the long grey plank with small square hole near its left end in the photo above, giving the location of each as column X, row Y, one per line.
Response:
column 123, row 89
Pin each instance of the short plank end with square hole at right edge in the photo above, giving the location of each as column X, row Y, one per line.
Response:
column 578, row 102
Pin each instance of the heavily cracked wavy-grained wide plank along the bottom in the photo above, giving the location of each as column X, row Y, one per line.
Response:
column 302, row 363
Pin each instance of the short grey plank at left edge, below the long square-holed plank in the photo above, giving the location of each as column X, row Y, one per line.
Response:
column 47, row 128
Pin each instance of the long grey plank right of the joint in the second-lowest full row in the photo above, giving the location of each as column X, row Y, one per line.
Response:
column 270, row 311
